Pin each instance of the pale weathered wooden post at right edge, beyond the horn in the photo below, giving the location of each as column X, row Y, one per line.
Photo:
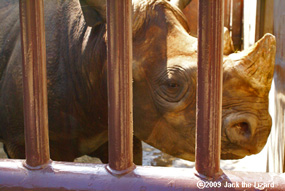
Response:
column 276, row 146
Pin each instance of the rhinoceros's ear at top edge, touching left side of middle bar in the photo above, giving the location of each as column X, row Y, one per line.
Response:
column 94, row 11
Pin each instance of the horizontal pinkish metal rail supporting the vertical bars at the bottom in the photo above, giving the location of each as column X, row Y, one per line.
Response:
column 78, row 176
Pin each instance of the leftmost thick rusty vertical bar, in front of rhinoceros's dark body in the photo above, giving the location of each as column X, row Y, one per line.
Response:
column 34, row 83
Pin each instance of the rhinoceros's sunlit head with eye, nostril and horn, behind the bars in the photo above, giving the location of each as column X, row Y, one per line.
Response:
column 164, row 81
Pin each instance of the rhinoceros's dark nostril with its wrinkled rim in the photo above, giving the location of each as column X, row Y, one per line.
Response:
column 240, row 129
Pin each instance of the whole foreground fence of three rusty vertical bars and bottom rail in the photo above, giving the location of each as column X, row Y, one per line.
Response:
column 38, row 172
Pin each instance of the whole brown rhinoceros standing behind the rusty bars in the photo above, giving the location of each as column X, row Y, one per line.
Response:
column 164, row 82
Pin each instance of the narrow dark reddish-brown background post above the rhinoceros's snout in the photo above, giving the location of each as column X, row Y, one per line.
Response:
column 237, row 24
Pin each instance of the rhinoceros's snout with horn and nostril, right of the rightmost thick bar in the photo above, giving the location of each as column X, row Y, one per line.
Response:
column 247, row 81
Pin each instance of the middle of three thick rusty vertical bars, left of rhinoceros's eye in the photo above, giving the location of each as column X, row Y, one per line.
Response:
column 120, row 94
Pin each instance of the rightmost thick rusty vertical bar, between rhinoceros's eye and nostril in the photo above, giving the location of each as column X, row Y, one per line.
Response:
column 209, row 91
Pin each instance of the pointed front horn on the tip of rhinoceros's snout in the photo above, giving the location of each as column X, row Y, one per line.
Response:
column 256, row 64
